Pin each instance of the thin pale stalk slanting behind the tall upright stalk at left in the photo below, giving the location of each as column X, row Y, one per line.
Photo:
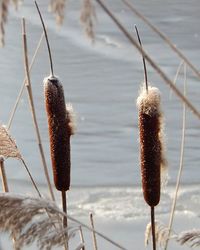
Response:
column 23, row 84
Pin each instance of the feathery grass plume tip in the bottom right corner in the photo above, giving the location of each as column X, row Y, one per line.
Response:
column 192, row 238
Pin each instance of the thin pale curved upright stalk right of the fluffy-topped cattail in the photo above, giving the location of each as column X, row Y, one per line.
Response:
column 180, row 166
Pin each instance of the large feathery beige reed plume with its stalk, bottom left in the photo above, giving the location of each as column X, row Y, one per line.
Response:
column 34, row 219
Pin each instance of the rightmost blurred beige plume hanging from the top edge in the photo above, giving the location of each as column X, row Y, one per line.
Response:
column 87, row 18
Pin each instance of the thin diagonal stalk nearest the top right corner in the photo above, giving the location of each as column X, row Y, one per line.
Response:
column 163, row 36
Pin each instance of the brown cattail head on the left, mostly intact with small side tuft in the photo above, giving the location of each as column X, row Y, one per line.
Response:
column 59, row 124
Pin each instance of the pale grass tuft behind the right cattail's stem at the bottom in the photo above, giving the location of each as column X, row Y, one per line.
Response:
column 161, row 234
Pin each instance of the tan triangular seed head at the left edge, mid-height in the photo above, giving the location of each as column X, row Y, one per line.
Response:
column 8, row 147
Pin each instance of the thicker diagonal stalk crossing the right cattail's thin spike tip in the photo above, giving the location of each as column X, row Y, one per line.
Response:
column 150, row 60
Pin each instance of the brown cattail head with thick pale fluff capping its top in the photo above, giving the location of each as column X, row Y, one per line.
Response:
column 151, row 153
